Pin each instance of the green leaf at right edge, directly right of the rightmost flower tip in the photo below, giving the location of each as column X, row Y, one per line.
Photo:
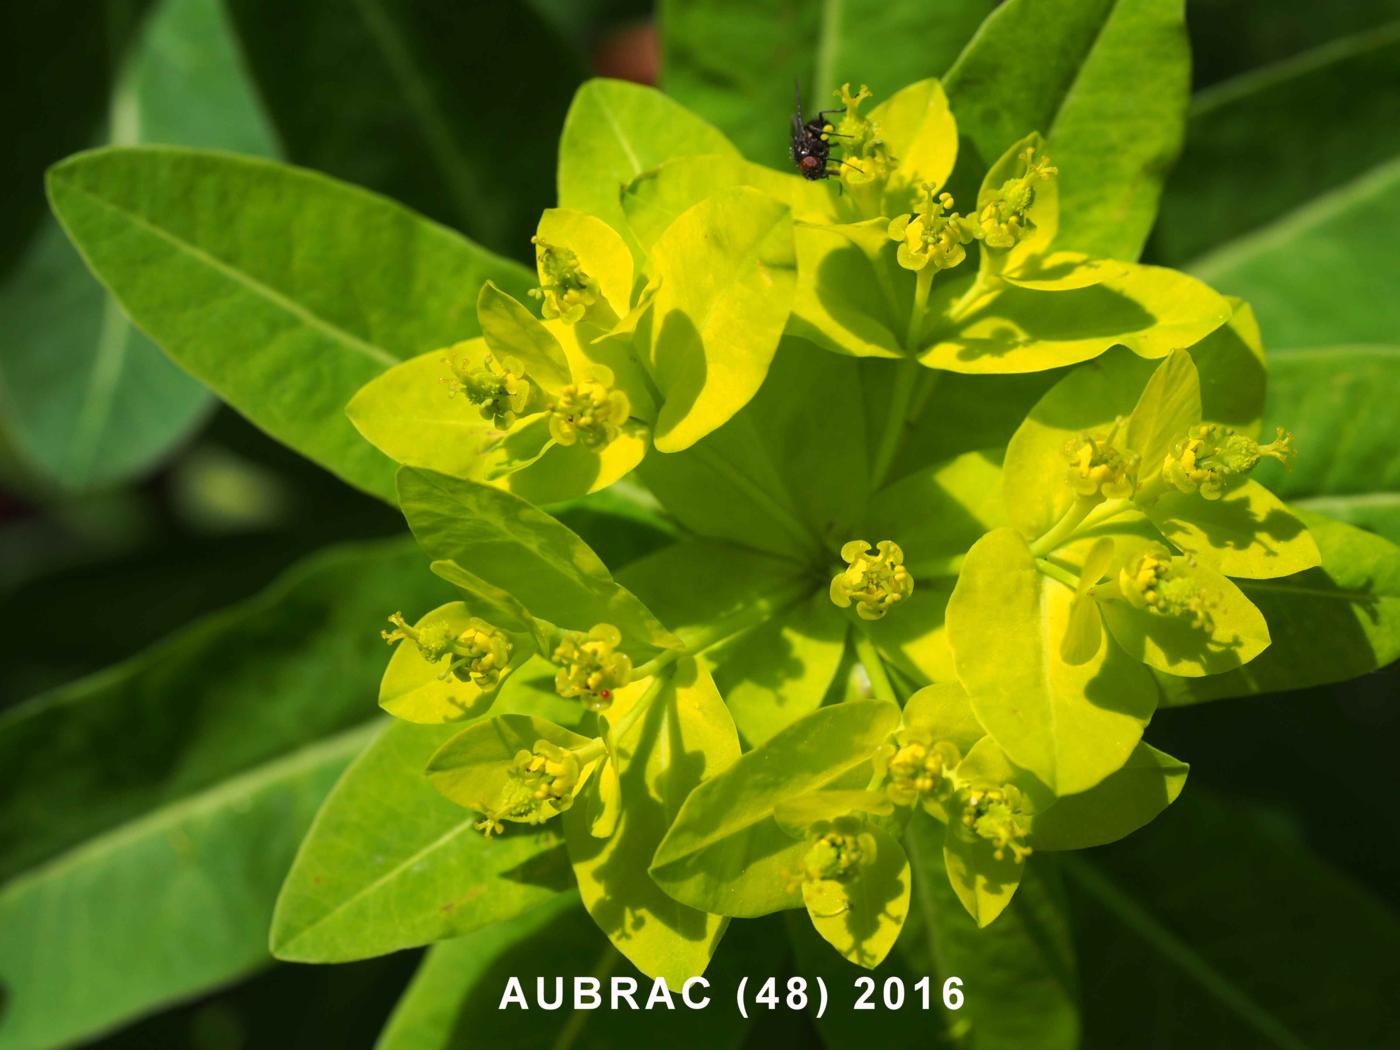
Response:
column 1339, row 404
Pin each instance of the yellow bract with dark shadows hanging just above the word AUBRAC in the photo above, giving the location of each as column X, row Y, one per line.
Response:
column 685, row 737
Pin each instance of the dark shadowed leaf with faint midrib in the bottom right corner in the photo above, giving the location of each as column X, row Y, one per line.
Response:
column 1209, row 909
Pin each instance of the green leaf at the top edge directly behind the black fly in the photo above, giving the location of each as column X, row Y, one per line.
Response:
column 736, row 66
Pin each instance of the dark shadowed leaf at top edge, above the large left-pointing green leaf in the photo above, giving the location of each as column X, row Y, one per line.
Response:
column 429, row 101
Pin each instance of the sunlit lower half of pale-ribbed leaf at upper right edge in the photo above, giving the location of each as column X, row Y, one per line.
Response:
column 1319, row 276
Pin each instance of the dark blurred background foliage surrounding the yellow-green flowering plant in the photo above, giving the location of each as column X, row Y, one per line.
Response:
column 1262, row 908
